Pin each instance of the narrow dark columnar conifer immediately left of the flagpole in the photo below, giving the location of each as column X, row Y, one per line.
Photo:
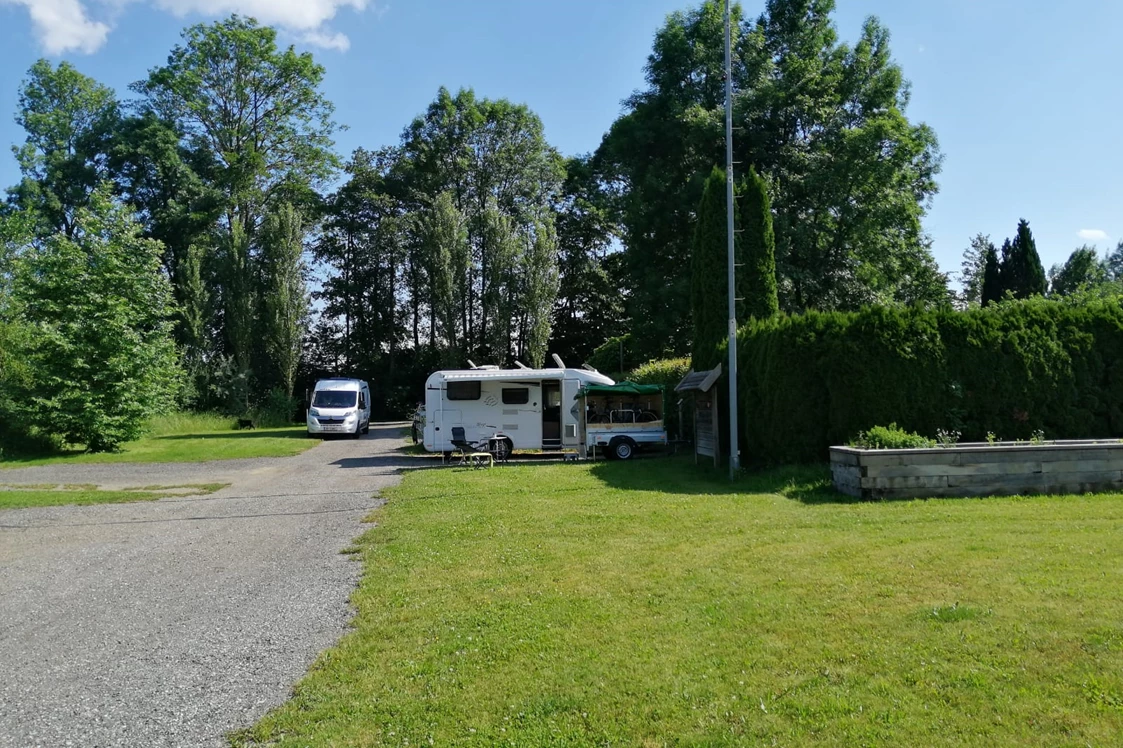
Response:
column 709, row 285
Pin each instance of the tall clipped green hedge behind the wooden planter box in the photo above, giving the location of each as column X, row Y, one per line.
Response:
column 819, row 379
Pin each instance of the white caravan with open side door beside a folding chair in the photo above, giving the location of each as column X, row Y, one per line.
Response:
column 529, row 408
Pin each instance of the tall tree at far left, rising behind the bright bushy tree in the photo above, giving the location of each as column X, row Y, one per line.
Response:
column 68, row 117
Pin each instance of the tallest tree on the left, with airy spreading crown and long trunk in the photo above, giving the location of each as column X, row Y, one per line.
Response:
column 258, row 131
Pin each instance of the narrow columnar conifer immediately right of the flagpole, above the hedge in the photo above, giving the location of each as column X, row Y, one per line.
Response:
column 760, row 251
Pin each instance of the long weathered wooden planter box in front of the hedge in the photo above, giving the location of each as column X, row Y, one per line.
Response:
column 980, row 470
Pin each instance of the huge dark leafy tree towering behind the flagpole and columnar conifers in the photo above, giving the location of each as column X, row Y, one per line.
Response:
column 824, row 122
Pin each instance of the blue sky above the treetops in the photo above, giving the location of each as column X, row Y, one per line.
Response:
column 1025, row 96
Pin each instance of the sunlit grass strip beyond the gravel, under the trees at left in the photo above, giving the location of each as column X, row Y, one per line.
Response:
column 186, row 439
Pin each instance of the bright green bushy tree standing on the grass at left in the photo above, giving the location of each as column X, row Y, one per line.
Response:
column 102, row 360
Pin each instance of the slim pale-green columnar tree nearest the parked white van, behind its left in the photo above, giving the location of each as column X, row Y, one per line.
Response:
column 285, row 294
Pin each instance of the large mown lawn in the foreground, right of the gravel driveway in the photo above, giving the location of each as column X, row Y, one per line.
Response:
column 653, row 605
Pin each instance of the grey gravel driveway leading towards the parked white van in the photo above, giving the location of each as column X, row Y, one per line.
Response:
column 172, row 623
